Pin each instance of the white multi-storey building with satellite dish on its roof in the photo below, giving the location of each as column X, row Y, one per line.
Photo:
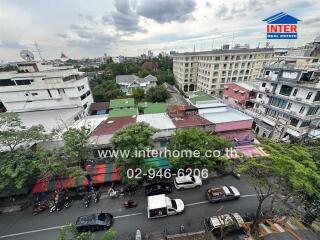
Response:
column 42, row 86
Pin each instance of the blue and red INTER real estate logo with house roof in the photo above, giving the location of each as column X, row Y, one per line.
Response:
column 282, row 26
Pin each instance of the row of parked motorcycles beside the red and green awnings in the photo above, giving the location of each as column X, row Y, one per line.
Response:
column 62, row 200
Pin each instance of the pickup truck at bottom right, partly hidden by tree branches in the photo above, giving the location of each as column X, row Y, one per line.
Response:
column 232, row 221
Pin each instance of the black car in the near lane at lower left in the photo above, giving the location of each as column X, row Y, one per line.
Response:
column 94, row 222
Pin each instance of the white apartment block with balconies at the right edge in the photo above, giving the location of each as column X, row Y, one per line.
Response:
column 287, row 103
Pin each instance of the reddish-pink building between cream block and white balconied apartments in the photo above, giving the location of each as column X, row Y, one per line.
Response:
column 238, row 95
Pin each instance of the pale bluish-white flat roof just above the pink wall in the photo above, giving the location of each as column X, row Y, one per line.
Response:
column 224, row 114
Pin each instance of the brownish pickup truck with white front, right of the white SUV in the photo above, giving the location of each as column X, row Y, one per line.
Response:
column 224, row 193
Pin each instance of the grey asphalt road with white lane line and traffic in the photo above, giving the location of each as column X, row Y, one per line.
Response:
column 23, row 225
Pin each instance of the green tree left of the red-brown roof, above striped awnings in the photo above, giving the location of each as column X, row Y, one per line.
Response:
column 76, row 145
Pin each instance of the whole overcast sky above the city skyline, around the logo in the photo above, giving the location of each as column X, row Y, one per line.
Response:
column 89, row 28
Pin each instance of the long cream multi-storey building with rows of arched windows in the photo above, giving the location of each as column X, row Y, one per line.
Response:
column 208, row 71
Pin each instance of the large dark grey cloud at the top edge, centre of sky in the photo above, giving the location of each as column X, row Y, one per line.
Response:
column 163, row 11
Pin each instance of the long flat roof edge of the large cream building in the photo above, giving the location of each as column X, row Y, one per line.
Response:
column 226, row 51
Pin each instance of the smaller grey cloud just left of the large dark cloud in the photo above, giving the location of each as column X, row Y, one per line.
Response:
column 124, row 18
